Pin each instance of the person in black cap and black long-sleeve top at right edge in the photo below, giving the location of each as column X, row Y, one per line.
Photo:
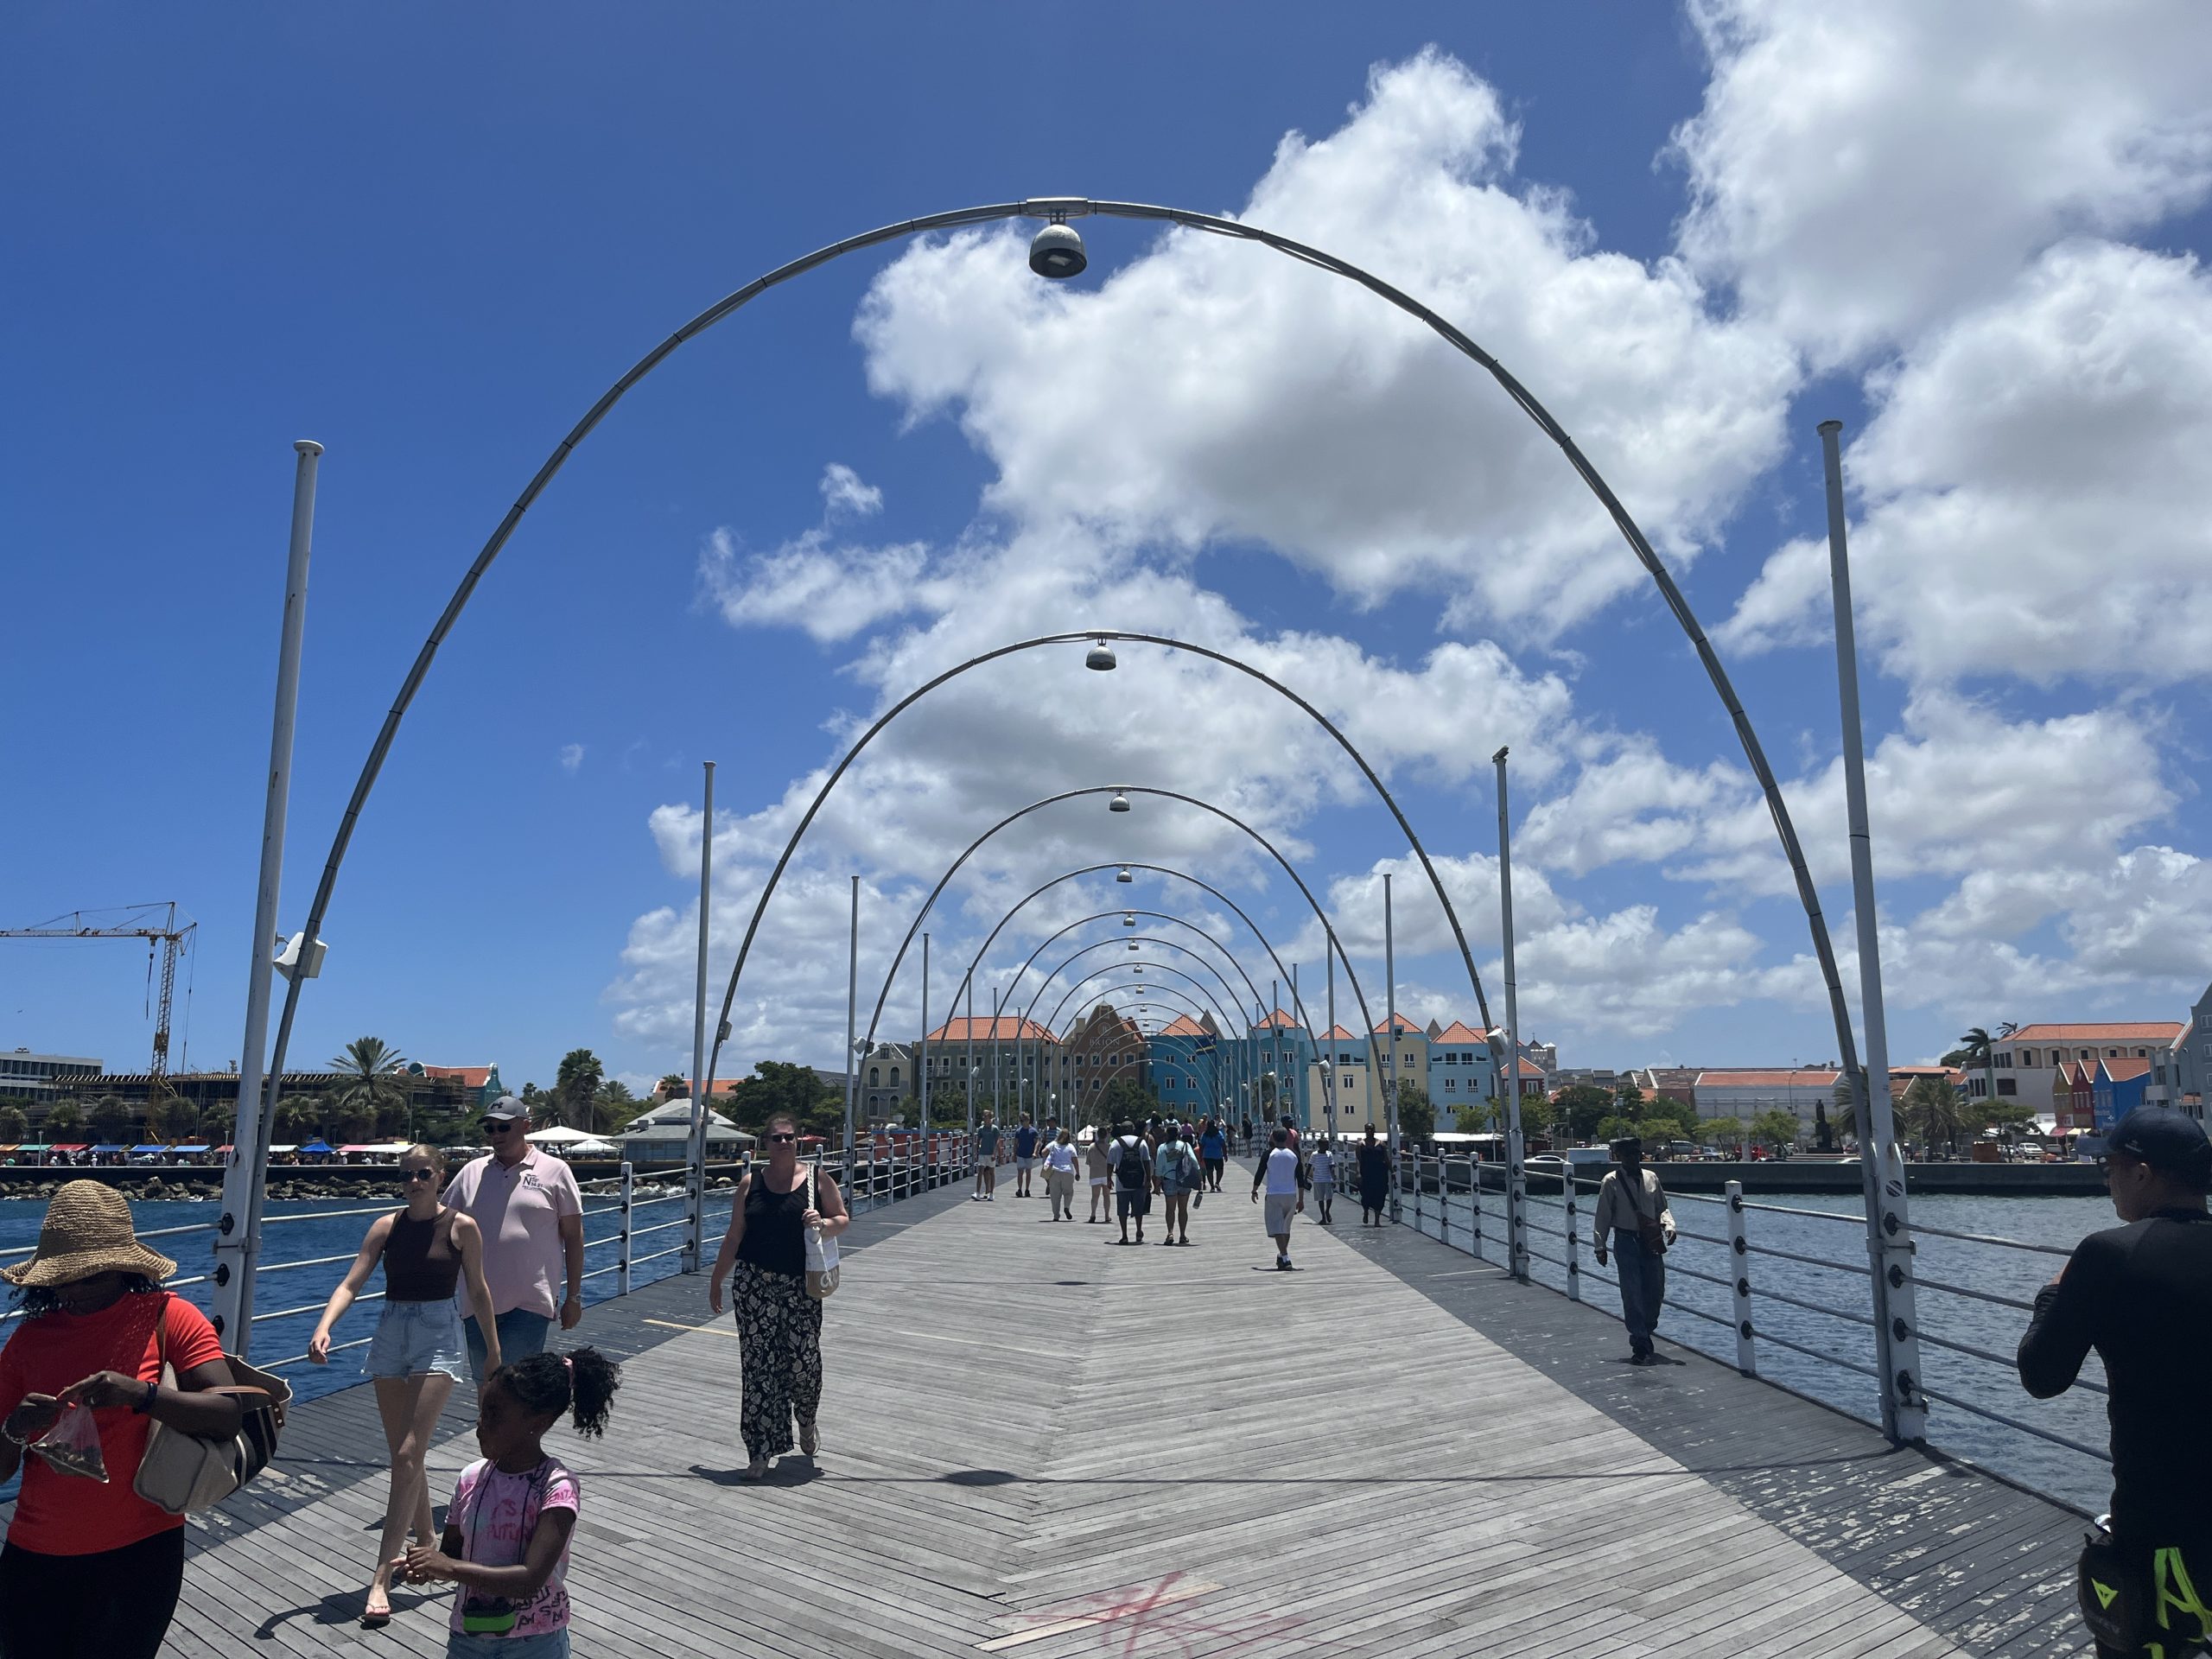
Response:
column 2142, row 1297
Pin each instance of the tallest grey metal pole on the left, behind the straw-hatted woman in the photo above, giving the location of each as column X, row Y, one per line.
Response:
column 238, row 1242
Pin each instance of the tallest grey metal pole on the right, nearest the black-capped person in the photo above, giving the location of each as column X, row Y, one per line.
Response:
column 1881, row 1167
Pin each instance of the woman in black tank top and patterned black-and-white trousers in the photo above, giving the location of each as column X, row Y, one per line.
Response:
column 780, row 1326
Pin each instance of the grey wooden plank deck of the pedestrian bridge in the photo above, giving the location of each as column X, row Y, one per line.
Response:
column 1043, row 1446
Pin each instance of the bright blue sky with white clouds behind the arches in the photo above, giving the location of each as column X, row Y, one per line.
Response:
column 430, row 240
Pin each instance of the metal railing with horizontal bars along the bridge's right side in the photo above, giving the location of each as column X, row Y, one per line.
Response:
column 1452, row 1198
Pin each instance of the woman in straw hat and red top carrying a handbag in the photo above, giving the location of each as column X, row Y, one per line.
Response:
column 90, row 1567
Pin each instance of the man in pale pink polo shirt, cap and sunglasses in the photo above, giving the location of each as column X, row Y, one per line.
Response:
column 534, row 1235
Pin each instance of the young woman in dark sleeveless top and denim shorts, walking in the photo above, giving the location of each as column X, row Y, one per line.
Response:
column 417, row 1355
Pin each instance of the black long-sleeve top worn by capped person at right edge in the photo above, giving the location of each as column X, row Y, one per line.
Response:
column 2142, row 1297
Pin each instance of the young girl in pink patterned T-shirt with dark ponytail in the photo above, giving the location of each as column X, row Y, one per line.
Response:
column 514, row 1512
